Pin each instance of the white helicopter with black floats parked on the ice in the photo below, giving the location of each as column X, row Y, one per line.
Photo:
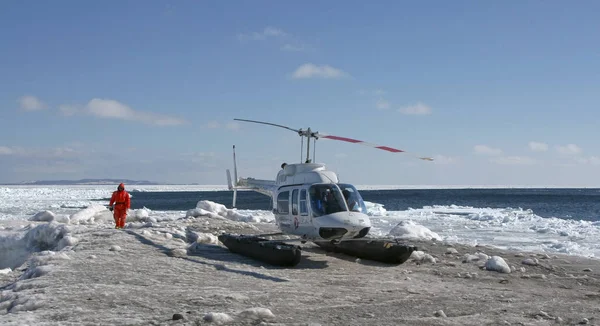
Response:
column 310, row 202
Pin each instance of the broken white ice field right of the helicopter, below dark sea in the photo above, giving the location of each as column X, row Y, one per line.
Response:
column 506, row 228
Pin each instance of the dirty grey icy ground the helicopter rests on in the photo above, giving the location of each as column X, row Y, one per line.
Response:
column 144, row 275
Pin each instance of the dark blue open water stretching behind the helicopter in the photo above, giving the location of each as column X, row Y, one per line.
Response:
column 576, row 204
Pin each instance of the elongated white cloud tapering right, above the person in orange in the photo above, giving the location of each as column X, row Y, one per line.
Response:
column 111, row 109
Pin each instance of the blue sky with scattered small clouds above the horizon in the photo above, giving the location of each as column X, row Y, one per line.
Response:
column 497, row 93
